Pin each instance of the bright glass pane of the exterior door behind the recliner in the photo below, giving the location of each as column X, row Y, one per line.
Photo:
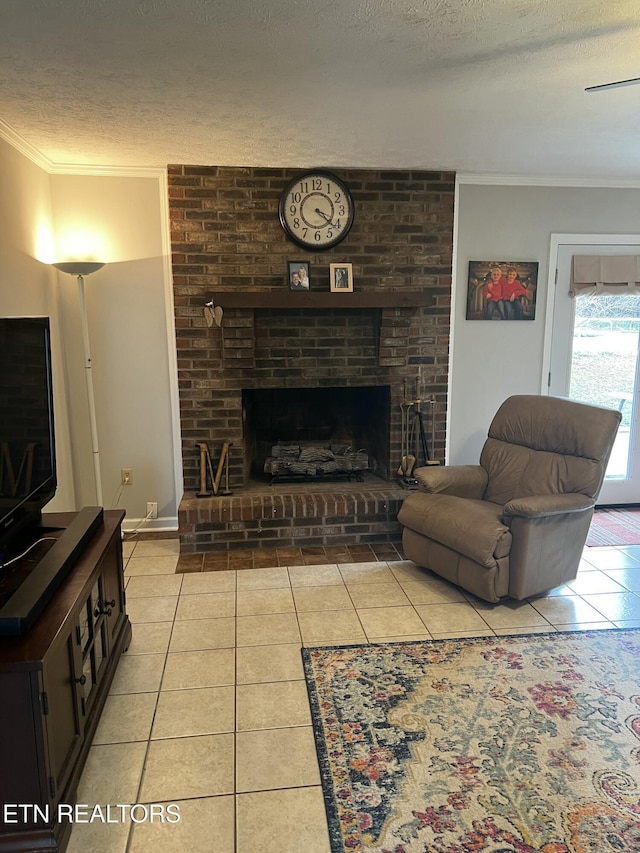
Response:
column 604, row 363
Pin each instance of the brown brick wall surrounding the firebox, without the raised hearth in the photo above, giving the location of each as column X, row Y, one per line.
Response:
column 226, row 236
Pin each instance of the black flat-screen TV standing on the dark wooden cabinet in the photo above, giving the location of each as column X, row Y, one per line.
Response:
column 27, row 448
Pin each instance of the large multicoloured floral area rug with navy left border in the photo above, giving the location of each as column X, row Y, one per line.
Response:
column 523, row 744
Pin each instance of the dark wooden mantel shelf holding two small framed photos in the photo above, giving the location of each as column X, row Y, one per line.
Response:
column 322, row 299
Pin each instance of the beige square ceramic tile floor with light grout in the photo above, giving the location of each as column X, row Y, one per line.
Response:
column 209, row 706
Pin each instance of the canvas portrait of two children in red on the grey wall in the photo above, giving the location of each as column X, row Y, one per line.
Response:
column 502, row 290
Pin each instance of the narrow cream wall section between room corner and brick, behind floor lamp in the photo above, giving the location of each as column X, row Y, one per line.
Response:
column 120, row 220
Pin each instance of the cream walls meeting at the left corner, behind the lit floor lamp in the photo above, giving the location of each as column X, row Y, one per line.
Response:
column 122, row 219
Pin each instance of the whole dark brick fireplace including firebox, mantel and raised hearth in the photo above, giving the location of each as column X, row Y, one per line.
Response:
column 362, row 351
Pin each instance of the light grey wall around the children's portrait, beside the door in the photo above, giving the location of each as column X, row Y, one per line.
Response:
column 492, row 360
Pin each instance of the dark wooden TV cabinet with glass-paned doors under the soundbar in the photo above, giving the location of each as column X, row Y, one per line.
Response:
column 53, row 685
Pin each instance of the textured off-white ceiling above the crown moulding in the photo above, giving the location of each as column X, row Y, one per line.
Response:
column 492, row 86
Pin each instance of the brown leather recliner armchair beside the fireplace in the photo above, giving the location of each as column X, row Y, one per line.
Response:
column 516, row 523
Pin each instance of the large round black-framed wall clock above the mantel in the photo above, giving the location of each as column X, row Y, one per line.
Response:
column 316, row 210
